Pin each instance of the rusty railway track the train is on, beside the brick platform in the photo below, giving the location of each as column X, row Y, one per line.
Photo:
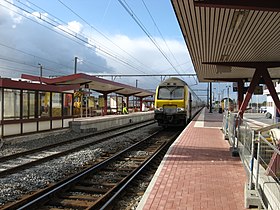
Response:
column 98, row 186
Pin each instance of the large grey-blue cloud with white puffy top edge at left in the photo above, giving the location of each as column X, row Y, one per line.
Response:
column 21, row 37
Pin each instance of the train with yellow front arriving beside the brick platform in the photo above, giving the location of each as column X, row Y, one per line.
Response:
column 175, row 103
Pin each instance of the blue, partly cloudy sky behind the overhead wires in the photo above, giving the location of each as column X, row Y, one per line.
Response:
column 108, row 37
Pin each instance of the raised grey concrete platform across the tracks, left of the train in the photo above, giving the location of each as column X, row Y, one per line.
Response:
column 98, row 123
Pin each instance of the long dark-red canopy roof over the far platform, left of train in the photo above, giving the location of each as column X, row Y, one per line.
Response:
column 94, row 83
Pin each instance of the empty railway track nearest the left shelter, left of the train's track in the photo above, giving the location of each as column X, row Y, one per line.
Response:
column 20, row 161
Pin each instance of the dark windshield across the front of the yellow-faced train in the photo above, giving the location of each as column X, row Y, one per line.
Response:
column 169, row 93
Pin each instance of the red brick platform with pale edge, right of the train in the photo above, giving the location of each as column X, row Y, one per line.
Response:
column 198, row 171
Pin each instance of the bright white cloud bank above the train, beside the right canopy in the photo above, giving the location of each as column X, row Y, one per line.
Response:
column 147, row 59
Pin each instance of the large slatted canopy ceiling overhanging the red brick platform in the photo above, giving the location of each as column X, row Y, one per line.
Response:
column 229, row 39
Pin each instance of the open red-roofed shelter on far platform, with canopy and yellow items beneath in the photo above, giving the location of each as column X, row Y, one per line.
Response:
column 113, row 94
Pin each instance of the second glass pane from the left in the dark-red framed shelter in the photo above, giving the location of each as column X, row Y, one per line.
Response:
column 28, row 106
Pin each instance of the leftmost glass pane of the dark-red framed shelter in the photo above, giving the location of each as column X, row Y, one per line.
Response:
column 11, row 104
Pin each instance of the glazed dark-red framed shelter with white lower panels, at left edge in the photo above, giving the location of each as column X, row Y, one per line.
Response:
column 27, row 107
